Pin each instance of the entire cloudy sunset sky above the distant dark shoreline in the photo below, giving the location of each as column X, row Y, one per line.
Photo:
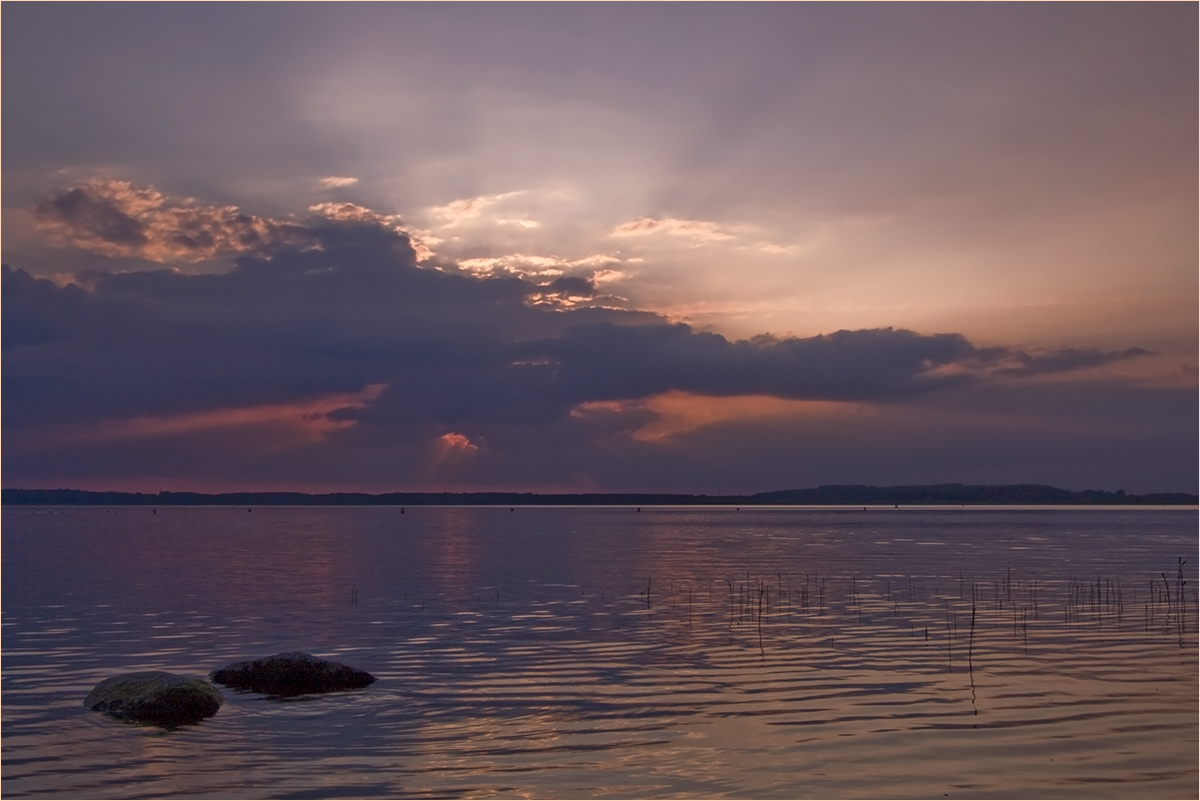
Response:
column 591, row 248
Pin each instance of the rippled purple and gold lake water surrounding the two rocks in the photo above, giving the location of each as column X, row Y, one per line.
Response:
column 778, row 653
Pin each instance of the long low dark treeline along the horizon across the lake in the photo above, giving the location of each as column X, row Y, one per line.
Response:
column 832, row 495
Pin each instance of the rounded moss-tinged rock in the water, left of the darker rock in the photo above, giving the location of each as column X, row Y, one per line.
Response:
column 155, row 697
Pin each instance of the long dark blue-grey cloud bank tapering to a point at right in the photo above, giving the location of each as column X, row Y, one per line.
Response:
column 356, row 310
